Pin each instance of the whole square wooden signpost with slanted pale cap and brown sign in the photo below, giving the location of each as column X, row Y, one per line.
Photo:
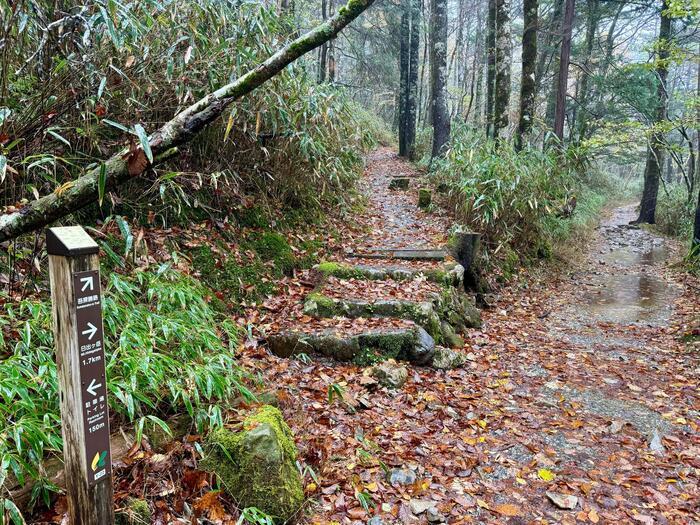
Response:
column 77, row 317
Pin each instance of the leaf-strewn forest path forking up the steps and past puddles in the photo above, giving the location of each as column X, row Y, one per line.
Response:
column 577, row 400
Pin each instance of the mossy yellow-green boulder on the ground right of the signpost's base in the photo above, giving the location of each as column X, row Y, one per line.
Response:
column 257, row 466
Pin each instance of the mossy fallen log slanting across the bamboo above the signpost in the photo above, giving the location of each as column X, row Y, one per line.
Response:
column 127, row 164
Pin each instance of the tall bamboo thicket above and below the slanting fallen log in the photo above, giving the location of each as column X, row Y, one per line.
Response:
column 123, row 69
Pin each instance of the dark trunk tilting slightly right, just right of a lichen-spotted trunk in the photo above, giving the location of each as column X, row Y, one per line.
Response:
column 529, row 64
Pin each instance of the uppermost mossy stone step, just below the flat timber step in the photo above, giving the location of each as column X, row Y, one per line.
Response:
column 450, row 274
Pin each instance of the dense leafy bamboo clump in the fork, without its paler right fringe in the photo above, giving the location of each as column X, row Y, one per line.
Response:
column 503, row 194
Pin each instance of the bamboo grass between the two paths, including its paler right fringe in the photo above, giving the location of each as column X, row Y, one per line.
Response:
column 519, row 200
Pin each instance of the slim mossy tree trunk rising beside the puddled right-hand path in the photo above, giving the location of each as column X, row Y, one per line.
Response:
column 655, row 152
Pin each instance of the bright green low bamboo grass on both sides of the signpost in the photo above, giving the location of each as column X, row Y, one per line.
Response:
column 167, row 351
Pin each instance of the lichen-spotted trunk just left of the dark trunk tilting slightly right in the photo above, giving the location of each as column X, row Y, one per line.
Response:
column 504, row 56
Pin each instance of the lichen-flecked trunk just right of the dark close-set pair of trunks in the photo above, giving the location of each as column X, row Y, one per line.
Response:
column 438, row 69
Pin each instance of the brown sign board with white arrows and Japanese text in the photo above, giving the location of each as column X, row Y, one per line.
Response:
column 93, row 383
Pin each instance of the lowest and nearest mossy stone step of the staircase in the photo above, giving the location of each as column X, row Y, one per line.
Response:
column 412, row 344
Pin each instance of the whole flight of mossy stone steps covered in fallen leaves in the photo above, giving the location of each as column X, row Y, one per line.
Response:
column 404, row 304
